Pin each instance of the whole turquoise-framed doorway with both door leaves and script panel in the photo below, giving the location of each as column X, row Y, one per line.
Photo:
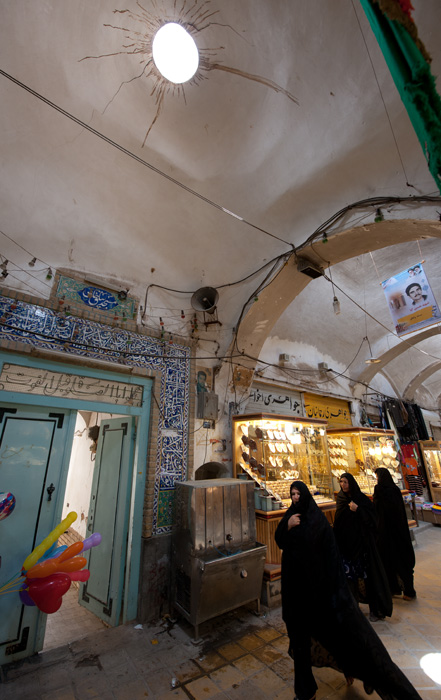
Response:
column 58, row 424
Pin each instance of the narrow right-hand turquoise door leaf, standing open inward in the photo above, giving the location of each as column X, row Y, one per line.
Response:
column 109, row 515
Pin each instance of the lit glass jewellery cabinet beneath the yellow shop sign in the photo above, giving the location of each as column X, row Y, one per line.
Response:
column 360, row 451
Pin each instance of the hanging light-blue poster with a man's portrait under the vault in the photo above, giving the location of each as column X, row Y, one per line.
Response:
column 410, row 300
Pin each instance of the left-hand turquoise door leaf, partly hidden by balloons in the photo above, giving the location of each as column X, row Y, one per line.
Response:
column 33, row 442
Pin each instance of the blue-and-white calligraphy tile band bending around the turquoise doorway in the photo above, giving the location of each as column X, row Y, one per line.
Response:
column 46, row 329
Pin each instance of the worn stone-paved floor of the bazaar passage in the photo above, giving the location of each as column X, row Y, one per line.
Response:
column 240, row 656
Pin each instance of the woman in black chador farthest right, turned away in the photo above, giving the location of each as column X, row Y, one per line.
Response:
column 394, row 543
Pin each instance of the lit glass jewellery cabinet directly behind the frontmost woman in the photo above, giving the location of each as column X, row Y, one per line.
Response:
column 275, row 450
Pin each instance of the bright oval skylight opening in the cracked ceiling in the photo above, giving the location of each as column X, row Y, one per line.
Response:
column 175, row 53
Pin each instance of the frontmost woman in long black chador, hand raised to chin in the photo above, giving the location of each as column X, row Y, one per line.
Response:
column 325, row 625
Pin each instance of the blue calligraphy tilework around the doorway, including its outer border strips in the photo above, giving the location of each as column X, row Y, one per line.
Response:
column 29, row 323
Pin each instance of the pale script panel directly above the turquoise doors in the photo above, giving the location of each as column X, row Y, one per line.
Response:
column 32, row 380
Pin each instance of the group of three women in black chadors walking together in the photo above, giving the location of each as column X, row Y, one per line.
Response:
column 327, row 571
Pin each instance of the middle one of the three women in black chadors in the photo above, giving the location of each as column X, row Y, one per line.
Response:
column 355, row 529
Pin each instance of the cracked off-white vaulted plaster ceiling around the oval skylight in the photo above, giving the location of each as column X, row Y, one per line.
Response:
column 75, row 201
